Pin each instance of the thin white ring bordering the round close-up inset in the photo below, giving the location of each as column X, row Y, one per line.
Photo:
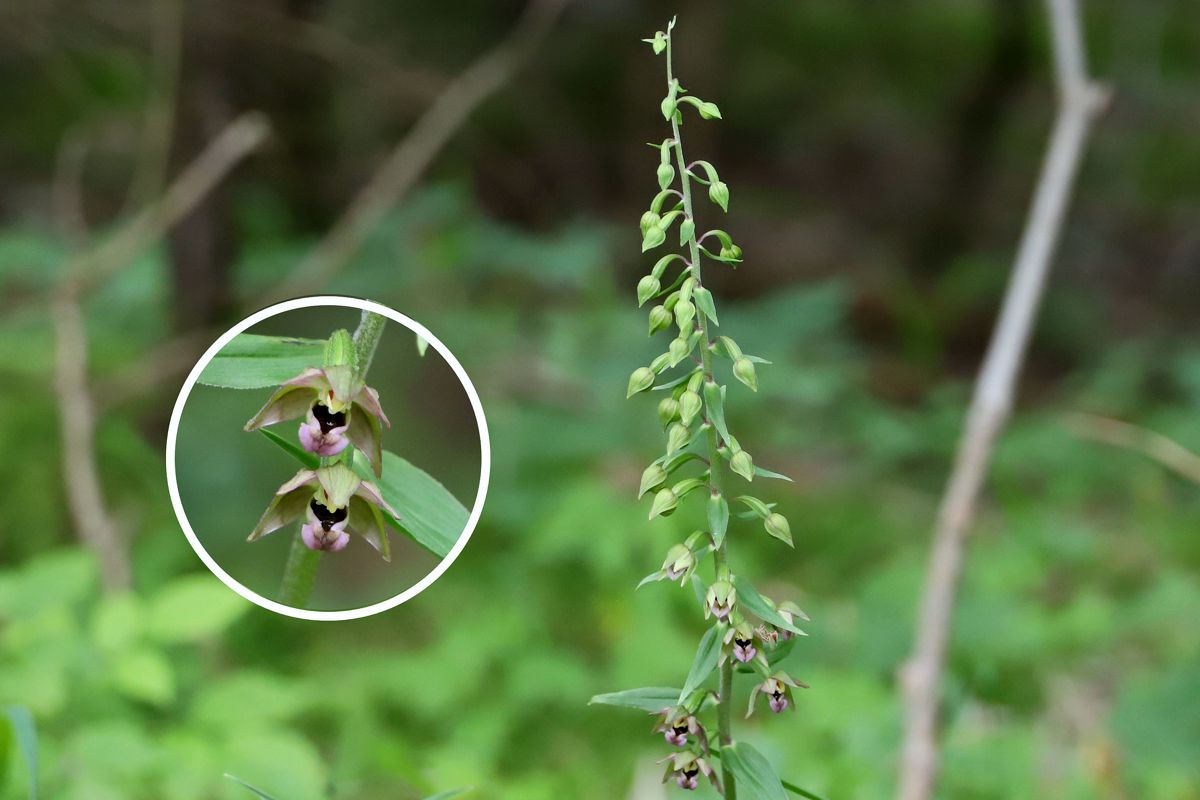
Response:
column 485, row 452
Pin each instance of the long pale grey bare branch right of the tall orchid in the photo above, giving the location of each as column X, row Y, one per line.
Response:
column 1081, row 101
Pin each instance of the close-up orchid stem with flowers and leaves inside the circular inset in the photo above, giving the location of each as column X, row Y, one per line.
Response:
column 349, row 486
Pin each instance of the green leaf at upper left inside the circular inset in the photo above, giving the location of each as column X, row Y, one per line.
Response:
column 253, row 362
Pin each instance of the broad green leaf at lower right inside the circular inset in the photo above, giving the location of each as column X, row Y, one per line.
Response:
column 429, row 514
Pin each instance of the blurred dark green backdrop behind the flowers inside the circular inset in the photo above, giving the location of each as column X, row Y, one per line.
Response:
column 227, row 477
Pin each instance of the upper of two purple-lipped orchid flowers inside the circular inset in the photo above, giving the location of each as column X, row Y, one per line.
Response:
column 339, row 410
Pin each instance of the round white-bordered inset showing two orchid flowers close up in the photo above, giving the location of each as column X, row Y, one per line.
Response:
column 283, row 414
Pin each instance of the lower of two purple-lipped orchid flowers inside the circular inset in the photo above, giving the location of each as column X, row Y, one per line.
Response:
column 337, row 503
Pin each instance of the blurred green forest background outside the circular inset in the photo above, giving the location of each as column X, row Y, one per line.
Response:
column 880, row 158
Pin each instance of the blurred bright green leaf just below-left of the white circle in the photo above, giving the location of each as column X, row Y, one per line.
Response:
column 193, row 609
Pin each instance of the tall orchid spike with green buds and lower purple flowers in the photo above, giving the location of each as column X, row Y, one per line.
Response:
column 751, row 634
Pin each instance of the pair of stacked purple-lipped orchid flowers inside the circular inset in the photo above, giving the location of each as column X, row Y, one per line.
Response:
column 338, row 411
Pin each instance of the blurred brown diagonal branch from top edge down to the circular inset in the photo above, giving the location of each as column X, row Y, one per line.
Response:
column 415, row 154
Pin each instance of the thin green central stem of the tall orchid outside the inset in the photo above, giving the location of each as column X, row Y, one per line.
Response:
column 716, row 467
